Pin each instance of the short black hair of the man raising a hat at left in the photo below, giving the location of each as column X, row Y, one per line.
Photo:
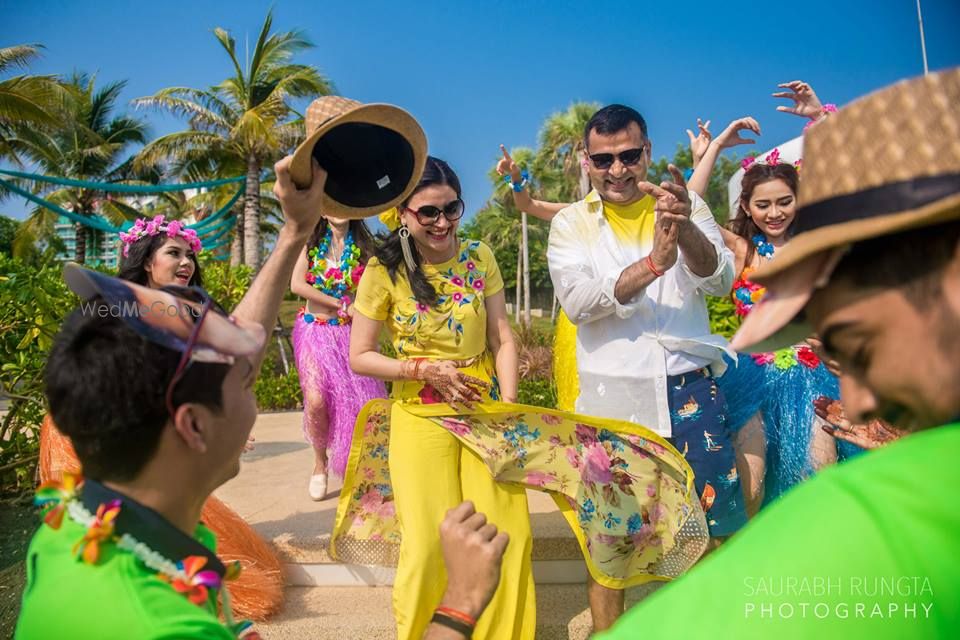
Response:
column 106, row 387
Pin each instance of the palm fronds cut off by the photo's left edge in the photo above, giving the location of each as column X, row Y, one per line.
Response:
column 25, row 101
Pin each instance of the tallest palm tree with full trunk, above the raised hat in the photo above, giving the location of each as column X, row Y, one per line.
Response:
column 246, row 117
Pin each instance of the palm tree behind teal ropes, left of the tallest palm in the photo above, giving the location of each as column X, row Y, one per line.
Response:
column 88, row 143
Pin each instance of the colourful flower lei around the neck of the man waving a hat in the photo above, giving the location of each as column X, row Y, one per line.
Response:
column 186, row 576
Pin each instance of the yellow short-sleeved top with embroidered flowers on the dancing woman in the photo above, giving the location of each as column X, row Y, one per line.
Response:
column 455, row 327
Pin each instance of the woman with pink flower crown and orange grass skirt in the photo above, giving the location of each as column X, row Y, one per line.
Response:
column 159, row 253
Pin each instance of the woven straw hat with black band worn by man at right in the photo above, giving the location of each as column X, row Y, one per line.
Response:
column 887, row 163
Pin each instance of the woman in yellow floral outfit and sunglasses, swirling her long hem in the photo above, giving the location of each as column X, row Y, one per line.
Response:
column 451, row 432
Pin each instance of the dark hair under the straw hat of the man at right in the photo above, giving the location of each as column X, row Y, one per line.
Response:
column 912, row 260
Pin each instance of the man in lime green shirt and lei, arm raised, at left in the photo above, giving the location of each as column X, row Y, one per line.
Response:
column 154, row 388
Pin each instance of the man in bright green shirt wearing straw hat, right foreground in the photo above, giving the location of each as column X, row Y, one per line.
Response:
column 869, row 549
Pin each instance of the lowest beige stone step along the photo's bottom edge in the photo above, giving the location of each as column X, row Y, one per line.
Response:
column 340, row 613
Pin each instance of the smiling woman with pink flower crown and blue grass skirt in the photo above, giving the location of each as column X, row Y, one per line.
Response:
column 770, row 396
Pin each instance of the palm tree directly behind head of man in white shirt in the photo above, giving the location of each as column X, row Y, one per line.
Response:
column 561, row 143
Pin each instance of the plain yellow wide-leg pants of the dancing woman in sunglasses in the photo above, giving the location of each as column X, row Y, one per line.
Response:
column 431, row 473
